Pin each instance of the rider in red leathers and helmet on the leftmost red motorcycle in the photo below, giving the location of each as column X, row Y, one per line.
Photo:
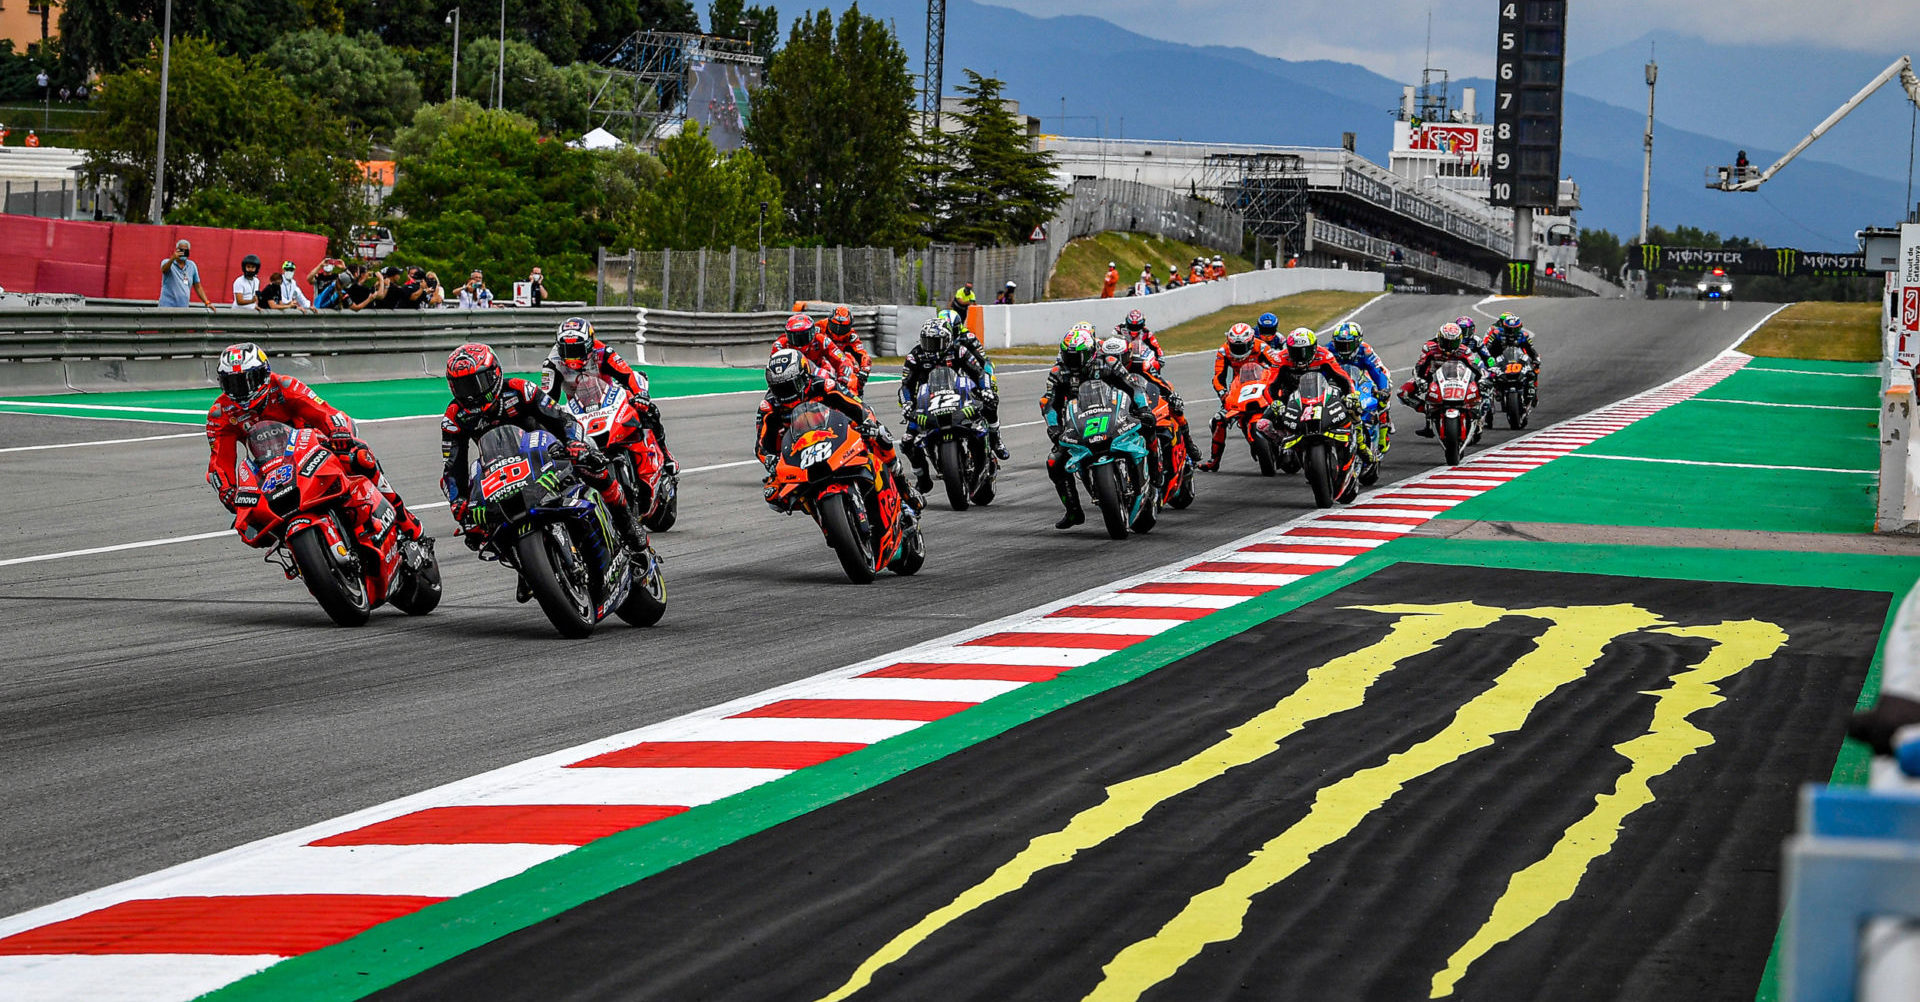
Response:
column 252, row 393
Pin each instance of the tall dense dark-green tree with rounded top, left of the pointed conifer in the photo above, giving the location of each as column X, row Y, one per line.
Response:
column 834, row 126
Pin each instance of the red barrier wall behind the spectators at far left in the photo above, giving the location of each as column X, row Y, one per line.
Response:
column 122, row 260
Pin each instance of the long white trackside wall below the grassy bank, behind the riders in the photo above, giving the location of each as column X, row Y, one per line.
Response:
column 1044, row 323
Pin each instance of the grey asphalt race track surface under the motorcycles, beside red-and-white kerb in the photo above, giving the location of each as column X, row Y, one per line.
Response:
column 164, row 704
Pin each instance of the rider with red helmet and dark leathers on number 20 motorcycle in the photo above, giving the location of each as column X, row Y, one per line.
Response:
column 485, row 400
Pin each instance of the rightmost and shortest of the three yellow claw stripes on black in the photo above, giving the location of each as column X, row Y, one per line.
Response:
column 1669, row 740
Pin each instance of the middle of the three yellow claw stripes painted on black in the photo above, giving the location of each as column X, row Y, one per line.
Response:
column 1562, row 656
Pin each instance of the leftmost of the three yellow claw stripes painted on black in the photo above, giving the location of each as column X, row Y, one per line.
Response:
column 1337, row 686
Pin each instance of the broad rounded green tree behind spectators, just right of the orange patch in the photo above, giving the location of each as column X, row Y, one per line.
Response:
column 491, row 195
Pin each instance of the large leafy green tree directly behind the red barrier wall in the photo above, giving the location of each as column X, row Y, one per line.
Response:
column 231, row 126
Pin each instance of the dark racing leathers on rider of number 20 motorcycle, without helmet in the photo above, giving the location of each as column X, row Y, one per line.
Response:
column 525, row 406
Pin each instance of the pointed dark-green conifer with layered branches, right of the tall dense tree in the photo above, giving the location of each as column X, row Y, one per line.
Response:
column 994, row 187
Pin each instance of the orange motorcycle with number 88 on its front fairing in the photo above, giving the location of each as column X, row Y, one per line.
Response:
column 828, row 471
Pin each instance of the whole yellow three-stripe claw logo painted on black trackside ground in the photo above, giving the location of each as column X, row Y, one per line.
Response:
column 1566, row 654
